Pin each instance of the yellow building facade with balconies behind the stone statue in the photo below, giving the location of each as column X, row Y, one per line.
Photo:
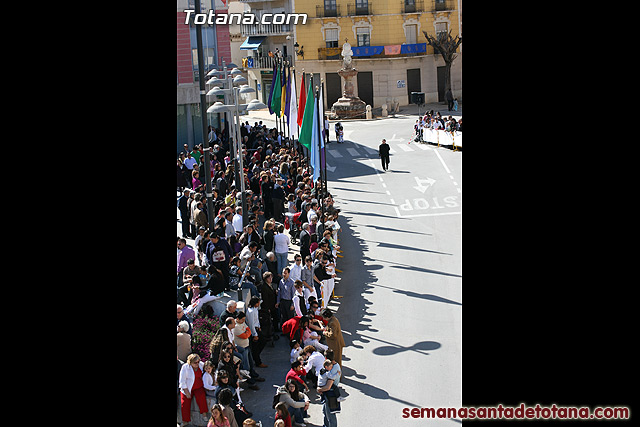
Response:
column 390, row 50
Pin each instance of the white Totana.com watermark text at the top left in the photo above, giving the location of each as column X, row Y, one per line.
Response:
column 211, row 17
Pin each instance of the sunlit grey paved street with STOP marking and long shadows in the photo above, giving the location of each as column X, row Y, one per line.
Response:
column 401, row 284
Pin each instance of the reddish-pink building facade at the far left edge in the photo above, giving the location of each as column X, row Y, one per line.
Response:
column 216, row 46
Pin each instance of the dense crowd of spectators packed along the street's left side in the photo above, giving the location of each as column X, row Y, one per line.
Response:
column 287, row 300
